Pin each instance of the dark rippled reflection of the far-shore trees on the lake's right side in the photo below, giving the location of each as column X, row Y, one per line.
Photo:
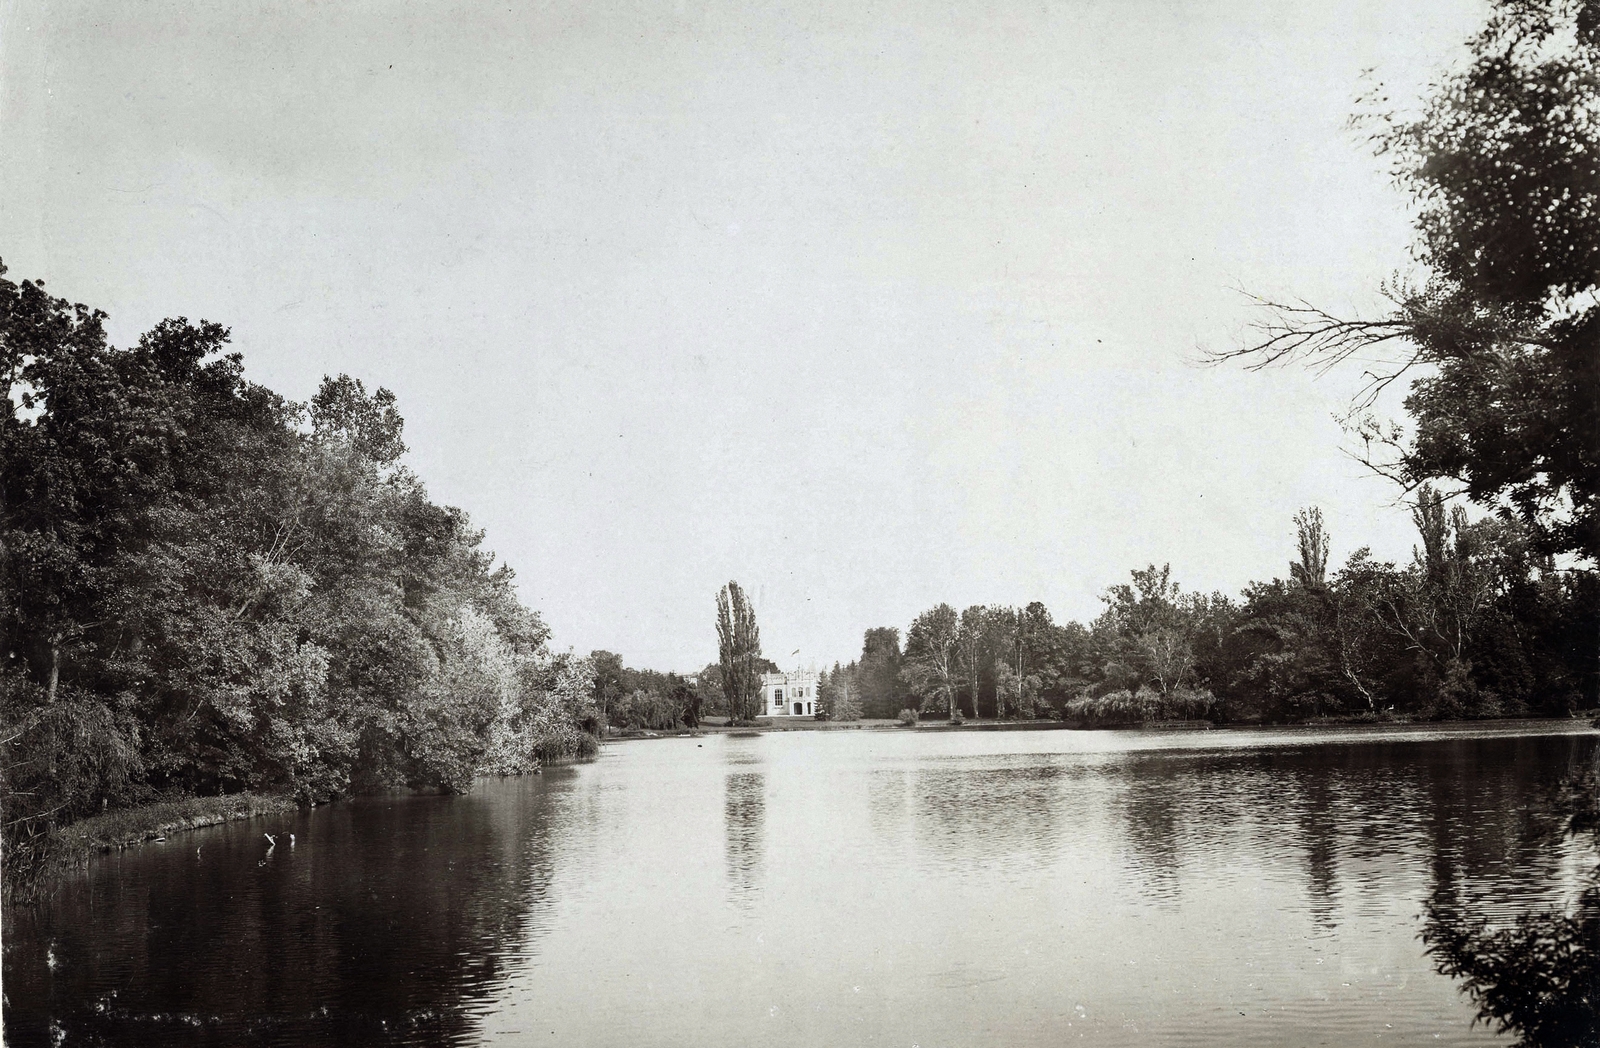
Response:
column 1348, row 812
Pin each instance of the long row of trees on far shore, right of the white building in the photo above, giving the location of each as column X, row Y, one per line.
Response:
column 1479, row 625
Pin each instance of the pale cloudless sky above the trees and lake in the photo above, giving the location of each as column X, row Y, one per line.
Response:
column 866, row 306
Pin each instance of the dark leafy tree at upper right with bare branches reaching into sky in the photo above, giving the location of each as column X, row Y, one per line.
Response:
column 1502, row 334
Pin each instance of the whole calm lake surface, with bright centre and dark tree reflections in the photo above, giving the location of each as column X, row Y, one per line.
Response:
column 826, row 889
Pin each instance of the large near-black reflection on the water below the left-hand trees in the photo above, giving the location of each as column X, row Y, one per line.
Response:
column 383, row 924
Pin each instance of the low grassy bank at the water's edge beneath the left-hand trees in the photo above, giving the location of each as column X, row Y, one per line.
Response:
column 34, row 870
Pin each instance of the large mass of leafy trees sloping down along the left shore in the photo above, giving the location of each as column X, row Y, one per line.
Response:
column 212, row 590
